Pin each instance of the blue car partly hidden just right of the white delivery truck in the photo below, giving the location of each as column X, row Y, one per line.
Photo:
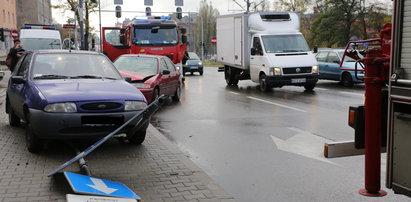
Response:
column 329, row 64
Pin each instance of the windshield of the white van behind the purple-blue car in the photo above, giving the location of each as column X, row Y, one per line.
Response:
column 40, row 43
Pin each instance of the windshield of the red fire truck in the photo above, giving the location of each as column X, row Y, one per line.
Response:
column 164, row 36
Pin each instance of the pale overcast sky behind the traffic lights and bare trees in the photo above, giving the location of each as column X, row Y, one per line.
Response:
column 109, row 19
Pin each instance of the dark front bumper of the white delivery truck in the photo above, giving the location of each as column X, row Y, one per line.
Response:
column 278, row 81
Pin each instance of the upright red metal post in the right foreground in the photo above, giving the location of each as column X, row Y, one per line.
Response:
column 376, row 76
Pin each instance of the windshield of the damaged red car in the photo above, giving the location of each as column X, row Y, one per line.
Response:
column 137, row 64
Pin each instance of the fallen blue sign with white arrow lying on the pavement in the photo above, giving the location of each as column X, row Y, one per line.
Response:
column 83, row 184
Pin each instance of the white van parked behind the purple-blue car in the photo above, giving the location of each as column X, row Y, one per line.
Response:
column 37, row 37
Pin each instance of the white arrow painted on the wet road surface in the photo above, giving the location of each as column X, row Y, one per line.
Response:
column 303, row 143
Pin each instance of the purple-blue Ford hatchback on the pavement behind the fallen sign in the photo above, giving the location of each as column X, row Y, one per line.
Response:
column 78, row 94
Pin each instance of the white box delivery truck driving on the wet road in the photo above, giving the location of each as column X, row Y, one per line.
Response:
column 266, row 47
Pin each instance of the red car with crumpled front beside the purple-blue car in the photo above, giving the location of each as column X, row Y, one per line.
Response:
column 153, row 75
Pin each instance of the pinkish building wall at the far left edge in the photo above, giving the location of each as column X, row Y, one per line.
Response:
column 8, row 21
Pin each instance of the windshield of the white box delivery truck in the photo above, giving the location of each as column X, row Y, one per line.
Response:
column 285, row 43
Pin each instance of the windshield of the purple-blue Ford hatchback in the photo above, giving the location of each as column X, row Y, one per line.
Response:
column 72, row 65
